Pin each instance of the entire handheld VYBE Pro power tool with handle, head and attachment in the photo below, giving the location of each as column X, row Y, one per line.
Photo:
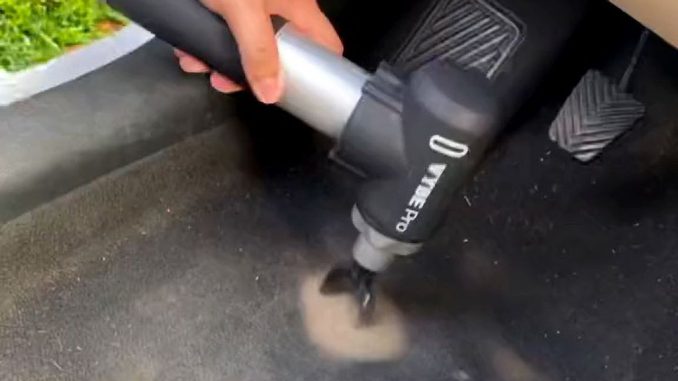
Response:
column 416, row 139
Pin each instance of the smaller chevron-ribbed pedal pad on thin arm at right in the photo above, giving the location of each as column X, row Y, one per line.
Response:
column 595, row 114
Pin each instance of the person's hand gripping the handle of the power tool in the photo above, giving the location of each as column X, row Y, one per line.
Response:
column 250, row 23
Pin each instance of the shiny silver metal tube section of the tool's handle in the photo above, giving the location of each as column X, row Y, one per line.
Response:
column 321, row 88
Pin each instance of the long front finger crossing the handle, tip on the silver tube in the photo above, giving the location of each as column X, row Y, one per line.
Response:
column 251, row 26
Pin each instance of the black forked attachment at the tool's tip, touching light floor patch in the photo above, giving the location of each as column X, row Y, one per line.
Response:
column 355, row 280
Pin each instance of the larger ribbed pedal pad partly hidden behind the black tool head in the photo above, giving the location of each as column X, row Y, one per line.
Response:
column 476, row 34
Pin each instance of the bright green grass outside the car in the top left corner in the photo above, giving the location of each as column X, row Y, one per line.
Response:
column 35, row 31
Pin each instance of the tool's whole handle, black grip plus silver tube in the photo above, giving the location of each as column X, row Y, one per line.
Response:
column 321, row 88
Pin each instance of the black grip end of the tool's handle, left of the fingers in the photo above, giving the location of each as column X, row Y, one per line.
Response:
column 189, row 26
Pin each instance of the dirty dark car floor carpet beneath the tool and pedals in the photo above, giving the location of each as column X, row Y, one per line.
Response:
column 193, row 263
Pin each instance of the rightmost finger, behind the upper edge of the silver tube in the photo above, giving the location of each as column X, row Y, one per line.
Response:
column 309, row 19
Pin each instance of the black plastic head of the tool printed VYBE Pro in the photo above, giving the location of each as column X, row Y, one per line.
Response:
column 418, row 142
